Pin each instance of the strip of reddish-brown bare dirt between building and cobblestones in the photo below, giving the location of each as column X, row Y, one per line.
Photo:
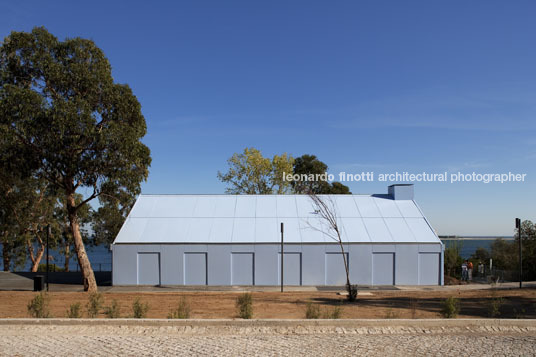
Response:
column 513, row 303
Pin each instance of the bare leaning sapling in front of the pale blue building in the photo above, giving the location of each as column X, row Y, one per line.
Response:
column 325, row 209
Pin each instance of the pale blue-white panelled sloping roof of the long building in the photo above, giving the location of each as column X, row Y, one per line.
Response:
column 256, row 219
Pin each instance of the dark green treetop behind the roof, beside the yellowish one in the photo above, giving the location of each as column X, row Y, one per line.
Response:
column 310, row 165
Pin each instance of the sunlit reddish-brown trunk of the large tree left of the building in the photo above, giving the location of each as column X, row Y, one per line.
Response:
column 90, row 284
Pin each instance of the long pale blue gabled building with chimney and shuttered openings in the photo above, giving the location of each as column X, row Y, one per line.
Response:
column 236, row 240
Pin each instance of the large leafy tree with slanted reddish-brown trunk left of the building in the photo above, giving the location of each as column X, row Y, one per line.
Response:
column 74, row 125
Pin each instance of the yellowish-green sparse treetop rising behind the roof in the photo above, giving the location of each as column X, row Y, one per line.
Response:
column 251, row 173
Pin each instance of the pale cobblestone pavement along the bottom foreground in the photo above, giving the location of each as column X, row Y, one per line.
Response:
column 131, row 340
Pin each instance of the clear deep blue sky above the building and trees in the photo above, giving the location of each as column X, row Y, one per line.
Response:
column 364, row 85
